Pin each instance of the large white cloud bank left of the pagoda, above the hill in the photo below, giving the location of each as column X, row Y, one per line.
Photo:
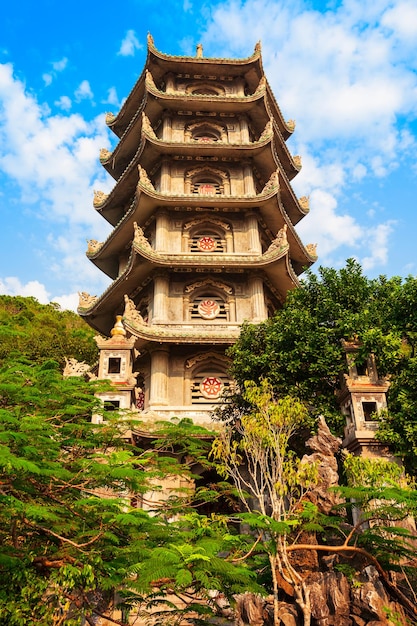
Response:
column 54, row 161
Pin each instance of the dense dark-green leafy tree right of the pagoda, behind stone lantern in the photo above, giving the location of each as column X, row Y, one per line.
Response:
column 300, row 352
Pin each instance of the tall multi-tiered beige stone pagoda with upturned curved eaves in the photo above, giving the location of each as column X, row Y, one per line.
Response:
column 203, row 237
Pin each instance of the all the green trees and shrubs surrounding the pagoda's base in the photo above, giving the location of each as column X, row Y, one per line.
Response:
column 71, row 531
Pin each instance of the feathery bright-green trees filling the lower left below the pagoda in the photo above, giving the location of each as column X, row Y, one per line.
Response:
column 70, row 533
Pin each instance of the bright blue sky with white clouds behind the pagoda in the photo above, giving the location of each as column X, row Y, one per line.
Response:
column 345, row 71
